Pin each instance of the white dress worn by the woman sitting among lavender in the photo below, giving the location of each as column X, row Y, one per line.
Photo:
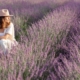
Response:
column 6, row 44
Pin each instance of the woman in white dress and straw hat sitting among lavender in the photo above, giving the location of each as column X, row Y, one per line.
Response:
column 7, row 37
